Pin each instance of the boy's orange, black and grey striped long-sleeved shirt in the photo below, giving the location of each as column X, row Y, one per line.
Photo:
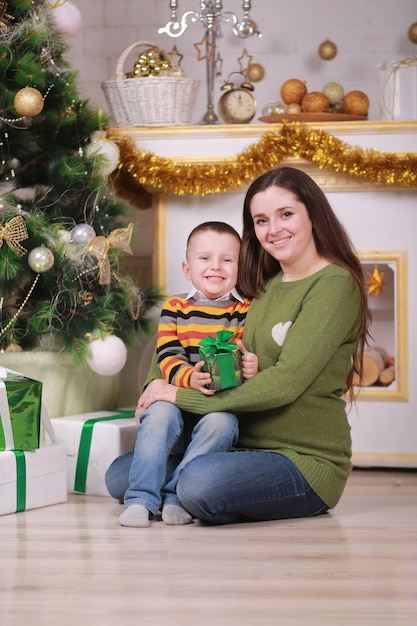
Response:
column 186, row 320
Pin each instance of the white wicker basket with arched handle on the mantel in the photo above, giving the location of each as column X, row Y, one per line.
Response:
column 149, row 101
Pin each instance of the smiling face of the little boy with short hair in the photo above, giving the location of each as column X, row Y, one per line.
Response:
column 212, row 261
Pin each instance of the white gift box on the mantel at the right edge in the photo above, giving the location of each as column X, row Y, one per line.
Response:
column 399, row 89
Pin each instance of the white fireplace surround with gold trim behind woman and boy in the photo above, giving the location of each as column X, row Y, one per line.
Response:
column 381, row 220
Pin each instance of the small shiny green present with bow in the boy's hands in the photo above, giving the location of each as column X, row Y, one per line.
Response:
column 223, row 360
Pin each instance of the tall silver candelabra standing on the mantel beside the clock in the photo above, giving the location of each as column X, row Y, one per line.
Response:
column 211, row 16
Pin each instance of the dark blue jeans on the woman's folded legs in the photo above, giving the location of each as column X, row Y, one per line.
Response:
column 246, row 485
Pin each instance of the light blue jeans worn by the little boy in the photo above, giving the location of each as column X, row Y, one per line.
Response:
column 163, row 431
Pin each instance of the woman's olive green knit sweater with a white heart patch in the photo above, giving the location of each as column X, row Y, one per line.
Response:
column 304, row 333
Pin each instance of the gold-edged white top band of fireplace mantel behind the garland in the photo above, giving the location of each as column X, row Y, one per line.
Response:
column 208, row 144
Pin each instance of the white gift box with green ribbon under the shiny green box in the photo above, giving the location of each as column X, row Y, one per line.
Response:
column 32, row 479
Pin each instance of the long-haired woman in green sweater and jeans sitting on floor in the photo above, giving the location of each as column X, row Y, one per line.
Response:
column 308, row 324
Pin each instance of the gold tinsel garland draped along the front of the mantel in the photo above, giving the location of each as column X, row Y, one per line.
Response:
column 140, row 172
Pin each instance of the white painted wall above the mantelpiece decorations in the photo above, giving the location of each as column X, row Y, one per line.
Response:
column 366, row 32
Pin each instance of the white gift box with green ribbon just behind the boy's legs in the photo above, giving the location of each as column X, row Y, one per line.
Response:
column 93, row 441
